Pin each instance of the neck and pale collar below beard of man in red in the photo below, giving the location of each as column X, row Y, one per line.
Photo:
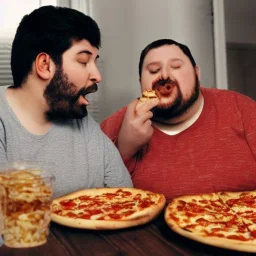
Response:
column 179, row 124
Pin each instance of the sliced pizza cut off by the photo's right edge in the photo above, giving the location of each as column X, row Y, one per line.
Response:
column 223, row 219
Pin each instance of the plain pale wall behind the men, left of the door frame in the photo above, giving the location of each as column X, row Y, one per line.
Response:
column 127, row 26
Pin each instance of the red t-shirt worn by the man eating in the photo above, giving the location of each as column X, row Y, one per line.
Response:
column 216, row 153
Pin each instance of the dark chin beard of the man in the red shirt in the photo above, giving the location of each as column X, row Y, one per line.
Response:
column 179, row 107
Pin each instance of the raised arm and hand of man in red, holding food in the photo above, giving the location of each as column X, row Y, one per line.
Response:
column 130, row 129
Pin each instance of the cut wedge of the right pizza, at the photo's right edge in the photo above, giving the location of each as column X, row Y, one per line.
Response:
column 244, row 205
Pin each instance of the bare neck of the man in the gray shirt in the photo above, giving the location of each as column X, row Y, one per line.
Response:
column 28, row 104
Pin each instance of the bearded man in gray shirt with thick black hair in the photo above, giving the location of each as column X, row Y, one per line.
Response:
column 43, row 116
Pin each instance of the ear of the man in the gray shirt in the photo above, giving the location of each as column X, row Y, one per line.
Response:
column 43, row 66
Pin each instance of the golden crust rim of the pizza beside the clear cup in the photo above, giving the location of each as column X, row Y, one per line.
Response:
column 135, row 219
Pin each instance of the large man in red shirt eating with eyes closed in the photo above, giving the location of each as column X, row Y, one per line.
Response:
column 190, row 139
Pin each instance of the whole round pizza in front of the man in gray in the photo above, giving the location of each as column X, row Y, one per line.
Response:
column 107, row 208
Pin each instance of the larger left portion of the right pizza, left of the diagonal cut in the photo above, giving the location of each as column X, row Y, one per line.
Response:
column 205, row 218
